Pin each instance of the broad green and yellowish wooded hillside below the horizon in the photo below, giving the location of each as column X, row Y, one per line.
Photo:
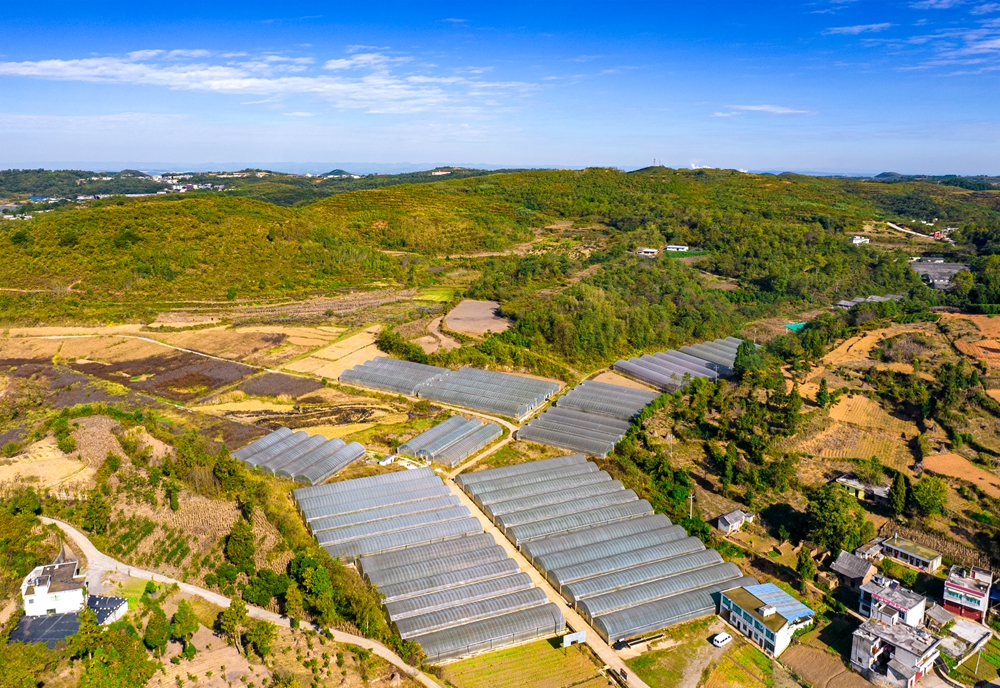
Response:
column 779, row 238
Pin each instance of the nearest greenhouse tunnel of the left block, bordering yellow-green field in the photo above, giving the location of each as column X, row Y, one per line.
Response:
column 492, row 633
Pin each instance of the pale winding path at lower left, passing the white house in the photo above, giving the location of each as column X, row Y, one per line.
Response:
column 99, row 563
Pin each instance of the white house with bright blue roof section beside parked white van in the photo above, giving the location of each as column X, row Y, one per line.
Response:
column 766, row 614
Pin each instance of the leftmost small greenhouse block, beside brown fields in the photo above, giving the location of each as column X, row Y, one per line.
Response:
column 299, row 456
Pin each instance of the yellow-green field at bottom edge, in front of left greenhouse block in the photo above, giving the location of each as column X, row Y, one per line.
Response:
column 541, row 664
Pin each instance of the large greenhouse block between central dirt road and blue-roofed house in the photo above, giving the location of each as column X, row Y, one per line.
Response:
column 626, row 570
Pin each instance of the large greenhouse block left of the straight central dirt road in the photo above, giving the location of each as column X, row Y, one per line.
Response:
column 445, row 583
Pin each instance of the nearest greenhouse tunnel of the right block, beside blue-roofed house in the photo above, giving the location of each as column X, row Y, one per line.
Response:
column 653, row 616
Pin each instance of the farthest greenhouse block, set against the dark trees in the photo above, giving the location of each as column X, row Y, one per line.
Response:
column 669, row 371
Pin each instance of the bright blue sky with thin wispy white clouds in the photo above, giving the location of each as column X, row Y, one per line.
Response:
column 821, row 85
